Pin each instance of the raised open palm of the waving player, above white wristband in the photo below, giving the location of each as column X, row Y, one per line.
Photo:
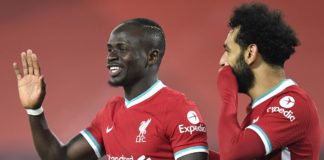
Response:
column 31, row 85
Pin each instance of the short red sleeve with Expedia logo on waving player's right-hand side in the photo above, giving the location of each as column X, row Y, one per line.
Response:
column 185, row 129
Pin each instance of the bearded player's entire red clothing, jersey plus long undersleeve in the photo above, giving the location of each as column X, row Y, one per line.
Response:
column 281, row 124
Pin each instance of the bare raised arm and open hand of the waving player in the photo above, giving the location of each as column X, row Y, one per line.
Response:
column 31, row 87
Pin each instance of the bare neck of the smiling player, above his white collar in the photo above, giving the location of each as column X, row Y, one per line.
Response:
column 139, row 87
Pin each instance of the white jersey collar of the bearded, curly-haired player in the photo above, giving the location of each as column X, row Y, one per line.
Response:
column 272, row 92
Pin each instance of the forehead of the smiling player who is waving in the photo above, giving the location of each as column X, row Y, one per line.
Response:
column 126, row 33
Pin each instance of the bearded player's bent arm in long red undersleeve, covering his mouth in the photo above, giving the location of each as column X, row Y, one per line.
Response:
column 234, row 142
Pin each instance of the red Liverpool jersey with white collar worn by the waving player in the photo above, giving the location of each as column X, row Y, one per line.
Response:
column 158, row 124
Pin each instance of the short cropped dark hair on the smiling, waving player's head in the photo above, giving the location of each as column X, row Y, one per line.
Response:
column 152, row 30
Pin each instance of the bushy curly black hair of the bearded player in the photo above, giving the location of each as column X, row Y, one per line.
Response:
column 276, row 40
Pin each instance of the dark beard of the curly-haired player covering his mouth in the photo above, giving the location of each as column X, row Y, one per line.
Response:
column 244, row 75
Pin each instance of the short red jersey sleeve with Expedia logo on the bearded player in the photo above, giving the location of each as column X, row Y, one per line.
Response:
column 285, row 122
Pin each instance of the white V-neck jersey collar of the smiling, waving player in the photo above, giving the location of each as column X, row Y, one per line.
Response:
column 158, row 85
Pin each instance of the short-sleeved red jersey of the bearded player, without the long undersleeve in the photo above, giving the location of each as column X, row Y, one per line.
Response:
column 286, row 120
